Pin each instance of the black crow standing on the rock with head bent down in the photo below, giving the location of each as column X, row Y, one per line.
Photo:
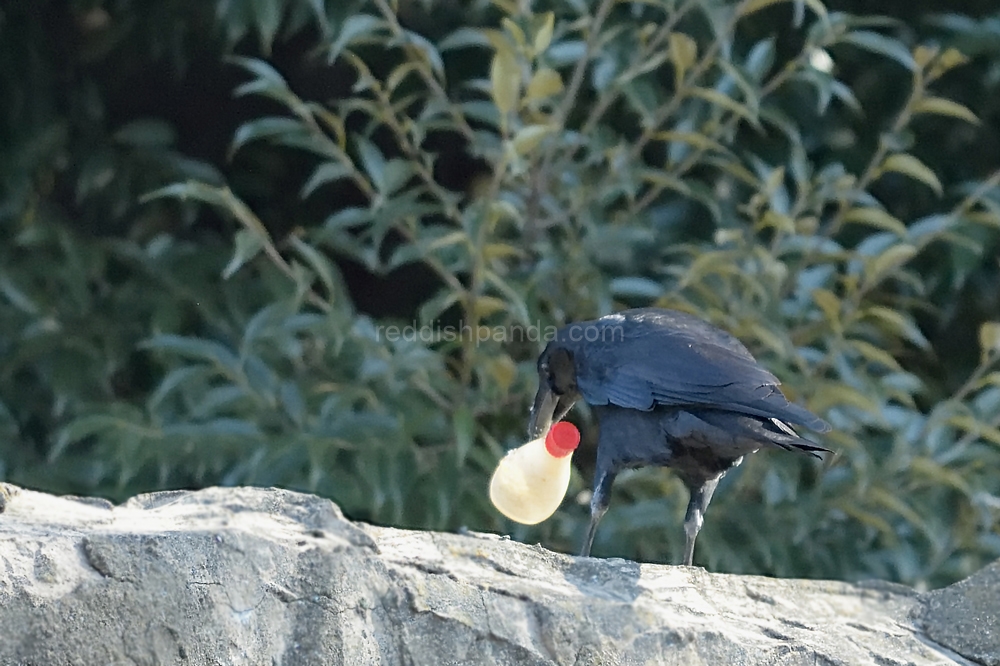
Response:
column 668, row 389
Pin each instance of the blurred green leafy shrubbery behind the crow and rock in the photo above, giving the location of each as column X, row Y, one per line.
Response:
column 208, row 210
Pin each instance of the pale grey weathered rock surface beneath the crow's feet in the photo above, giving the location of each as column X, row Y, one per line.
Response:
column 264, row 576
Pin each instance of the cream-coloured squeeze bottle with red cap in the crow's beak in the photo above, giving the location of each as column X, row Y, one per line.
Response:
column 531, row 481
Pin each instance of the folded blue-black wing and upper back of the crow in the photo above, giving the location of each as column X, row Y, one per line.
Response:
column 643, row 358
